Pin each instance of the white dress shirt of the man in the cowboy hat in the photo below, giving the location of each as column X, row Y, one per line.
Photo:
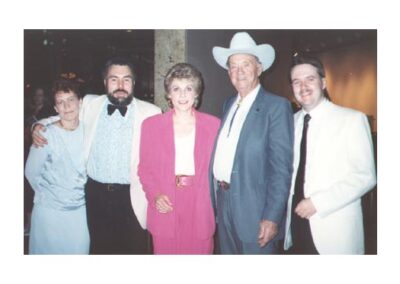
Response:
column 227, row 144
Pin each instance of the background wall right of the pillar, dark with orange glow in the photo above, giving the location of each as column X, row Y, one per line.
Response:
column 349, row 57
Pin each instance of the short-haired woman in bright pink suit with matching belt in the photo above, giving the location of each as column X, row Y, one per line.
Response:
column 175, row 153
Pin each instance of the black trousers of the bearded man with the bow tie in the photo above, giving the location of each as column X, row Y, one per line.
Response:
column 113, row 226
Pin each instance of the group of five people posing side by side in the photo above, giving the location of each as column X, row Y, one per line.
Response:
column 115, row 166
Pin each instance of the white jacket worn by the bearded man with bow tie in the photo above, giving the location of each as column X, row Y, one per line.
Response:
column 89, row 116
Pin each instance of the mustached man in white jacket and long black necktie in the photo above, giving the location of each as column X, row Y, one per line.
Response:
column 331, row 173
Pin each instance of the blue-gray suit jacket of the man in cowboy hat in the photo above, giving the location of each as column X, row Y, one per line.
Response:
column 262, row 167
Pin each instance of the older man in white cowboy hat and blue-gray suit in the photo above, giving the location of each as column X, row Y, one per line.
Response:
column 252, row 164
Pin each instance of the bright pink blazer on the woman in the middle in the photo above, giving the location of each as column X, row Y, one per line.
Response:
column 157, row 172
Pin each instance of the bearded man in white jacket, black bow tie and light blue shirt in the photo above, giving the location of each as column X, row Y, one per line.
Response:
column 112, row 125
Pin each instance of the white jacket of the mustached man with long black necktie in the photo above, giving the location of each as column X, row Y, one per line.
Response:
column 340, row 169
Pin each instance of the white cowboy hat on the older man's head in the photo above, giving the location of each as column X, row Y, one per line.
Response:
column 243, row 43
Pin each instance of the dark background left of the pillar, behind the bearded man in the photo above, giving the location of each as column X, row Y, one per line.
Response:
column 48, row 54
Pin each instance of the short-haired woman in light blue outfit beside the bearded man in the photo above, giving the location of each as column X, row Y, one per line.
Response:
column 57, row 174
